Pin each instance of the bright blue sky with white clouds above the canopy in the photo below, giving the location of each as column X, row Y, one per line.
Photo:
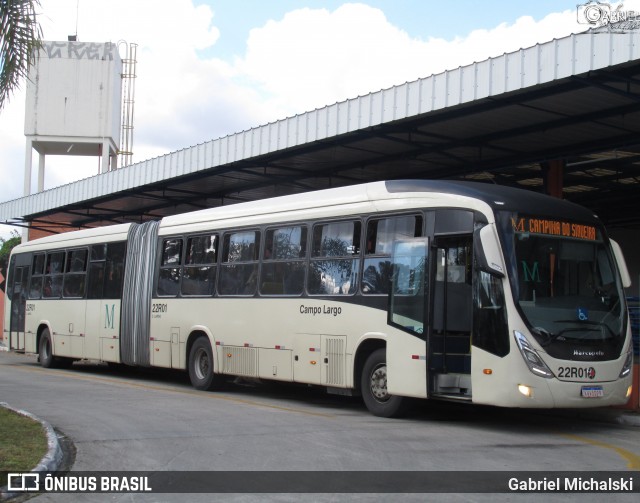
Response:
column 211, row 68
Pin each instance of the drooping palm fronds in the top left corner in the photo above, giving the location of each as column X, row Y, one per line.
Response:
column 20, row 37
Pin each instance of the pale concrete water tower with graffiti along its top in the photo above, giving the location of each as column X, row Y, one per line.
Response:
column 73, row 104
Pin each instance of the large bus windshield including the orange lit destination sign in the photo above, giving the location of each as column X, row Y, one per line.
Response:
column 565, row 283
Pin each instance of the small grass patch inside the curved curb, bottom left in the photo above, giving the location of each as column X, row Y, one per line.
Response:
column 23, row 443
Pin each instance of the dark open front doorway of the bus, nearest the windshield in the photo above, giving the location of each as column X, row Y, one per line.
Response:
column 452, row 303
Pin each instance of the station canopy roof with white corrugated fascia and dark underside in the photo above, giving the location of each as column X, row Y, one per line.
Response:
column 574, row 100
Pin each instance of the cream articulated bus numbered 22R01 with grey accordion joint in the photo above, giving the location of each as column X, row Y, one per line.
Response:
column 390, row 290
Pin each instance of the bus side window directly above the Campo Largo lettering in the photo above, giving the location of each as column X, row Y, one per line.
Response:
column 335, row 258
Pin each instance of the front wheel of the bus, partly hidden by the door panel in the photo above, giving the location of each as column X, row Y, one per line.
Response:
column 373, row 386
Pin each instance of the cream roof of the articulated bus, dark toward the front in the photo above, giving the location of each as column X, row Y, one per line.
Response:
column 358, row 198
